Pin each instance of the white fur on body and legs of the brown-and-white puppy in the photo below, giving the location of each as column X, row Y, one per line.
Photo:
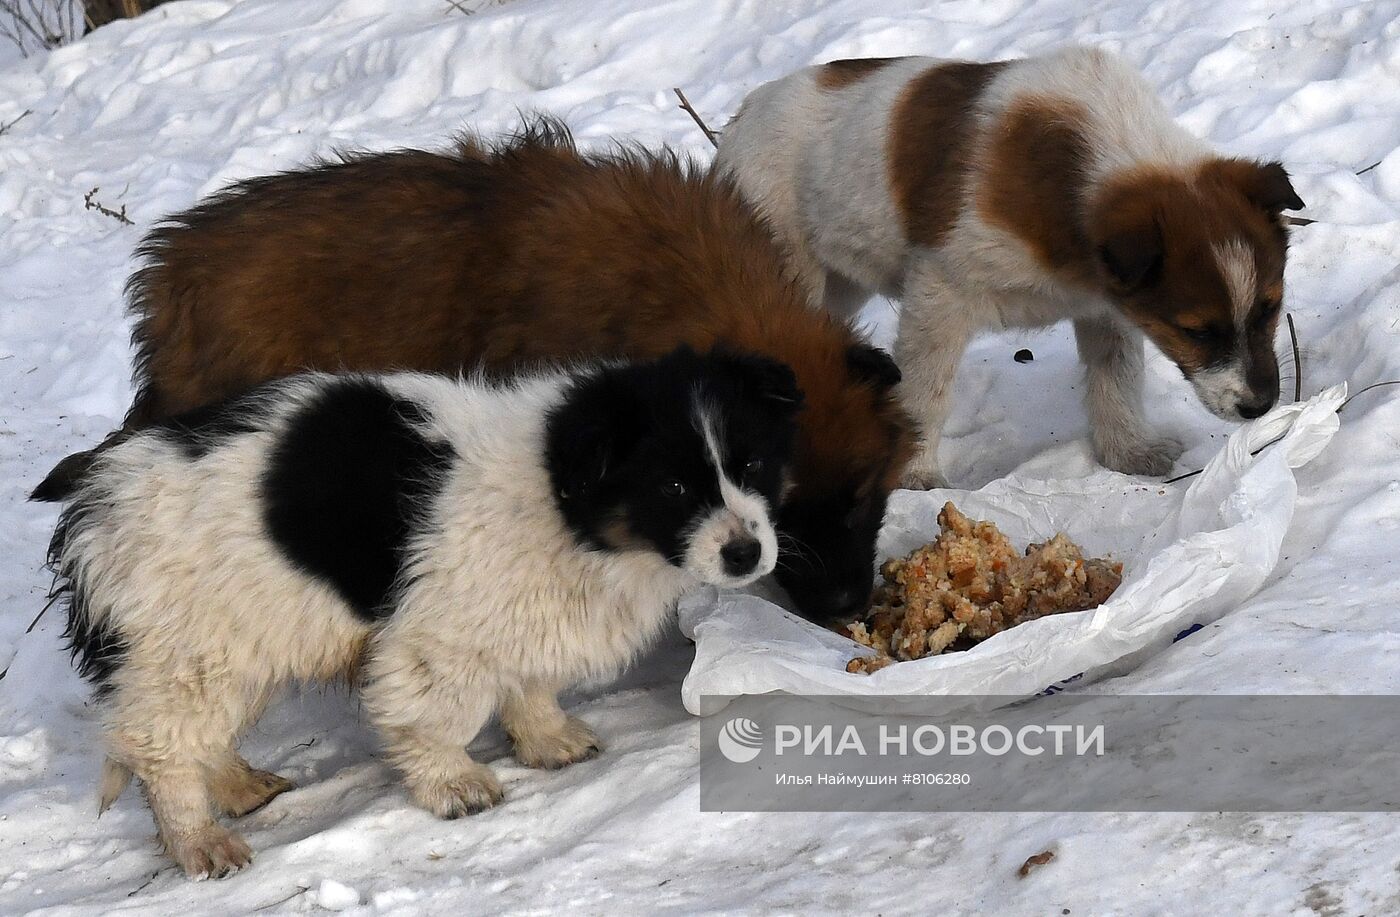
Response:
column 815, row 163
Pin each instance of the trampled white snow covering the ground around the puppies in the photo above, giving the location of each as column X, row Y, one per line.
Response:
column 156, row 113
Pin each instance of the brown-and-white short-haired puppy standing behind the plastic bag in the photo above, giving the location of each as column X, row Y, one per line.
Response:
column 1021, row 194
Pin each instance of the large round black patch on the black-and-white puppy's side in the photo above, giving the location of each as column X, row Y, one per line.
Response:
column 346, row 488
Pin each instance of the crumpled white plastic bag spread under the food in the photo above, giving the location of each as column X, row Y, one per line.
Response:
column 1191, row 555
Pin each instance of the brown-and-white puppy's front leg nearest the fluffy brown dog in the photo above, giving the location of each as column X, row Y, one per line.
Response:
column 934, row 328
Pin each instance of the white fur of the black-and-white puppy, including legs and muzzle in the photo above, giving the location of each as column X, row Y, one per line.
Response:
column 500, row 611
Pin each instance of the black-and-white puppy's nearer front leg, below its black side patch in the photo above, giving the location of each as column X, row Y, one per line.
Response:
column 428, row 716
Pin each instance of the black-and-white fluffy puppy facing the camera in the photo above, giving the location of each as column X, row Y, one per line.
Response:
column 477, row 548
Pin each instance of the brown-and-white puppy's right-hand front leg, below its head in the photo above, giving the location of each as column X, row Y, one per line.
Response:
column 1112, row 356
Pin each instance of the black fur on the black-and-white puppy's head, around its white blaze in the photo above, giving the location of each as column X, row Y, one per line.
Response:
column 625, row 437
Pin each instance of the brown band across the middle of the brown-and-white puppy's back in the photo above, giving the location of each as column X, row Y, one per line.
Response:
column 932, row 134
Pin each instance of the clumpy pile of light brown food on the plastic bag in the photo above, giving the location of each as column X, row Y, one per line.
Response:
column 969, row 584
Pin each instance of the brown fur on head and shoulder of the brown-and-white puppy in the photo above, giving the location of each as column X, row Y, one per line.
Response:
column 1035, row 187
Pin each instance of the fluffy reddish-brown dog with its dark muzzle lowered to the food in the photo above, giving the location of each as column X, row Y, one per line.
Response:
column 507, row 257
